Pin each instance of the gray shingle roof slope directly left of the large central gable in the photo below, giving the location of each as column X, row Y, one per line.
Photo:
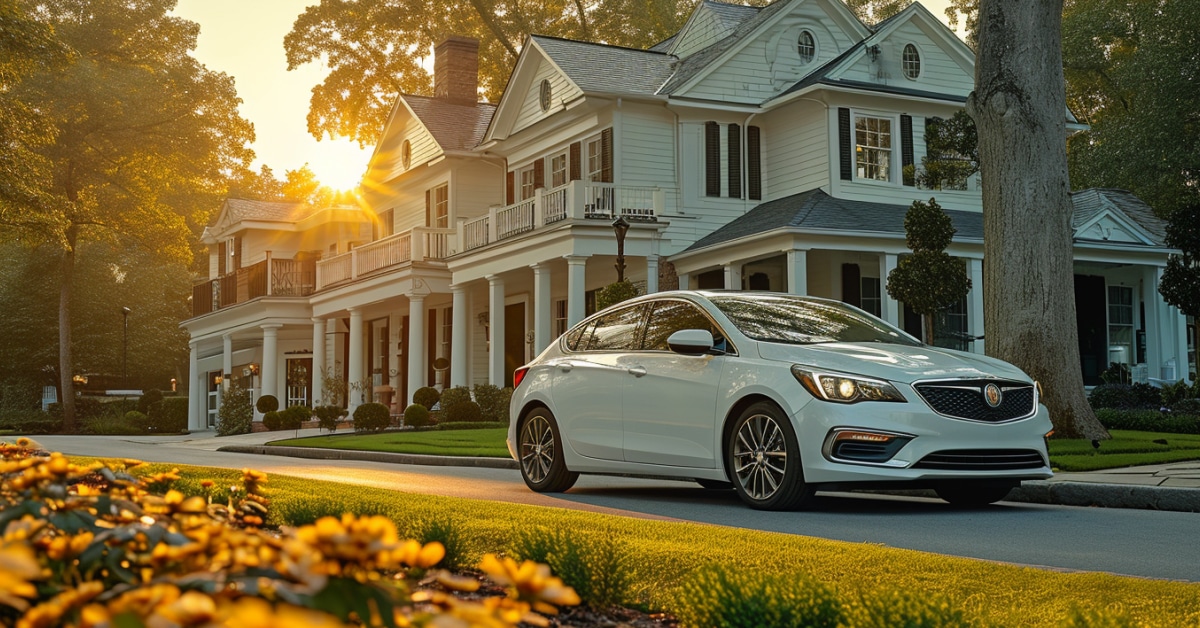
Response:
column 613, row 69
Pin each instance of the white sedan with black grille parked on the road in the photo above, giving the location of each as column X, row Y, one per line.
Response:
column 777, row 396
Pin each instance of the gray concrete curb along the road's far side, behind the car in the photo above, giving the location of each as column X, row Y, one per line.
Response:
column 1031, row 492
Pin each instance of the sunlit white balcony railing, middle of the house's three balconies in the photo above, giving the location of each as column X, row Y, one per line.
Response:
column 417, row 246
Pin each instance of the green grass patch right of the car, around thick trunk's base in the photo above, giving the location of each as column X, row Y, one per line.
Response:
column 1126, row 450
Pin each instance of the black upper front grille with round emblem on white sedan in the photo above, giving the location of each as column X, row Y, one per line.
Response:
column 964, row 399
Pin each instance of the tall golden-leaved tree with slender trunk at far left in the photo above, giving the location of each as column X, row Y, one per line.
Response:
column 143, row 136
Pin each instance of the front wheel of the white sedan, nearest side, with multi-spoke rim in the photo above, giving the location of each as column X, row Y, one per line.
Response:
column 763, row 458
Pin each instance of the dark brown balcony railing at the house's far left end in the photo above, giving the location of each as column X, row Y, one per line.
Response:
column 287, row 278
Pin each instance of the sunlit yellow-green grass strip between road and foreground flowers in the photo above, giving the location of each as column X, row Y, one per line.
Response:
column 663, row 555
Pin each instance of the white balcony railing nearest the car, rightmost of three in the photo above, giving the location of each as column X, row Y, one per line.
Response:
column 577, row 200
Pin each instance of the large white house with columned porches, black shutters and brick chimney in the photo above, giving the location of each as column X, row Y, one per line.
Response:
column 764, row 148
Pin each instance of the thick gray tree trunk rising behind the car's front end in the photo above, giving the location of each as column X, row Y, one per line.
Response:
column 1019, row 107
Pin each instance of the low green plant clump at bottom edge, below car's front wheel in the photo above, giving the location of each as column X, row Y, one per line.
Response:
column 741, row 599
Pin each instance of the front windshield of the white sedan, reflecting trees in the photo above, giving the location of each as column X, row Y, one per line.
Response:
column 799, row 321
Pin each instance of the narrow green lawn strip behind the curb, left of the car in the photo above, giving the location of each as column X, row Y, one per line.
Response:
column 483, row 444
